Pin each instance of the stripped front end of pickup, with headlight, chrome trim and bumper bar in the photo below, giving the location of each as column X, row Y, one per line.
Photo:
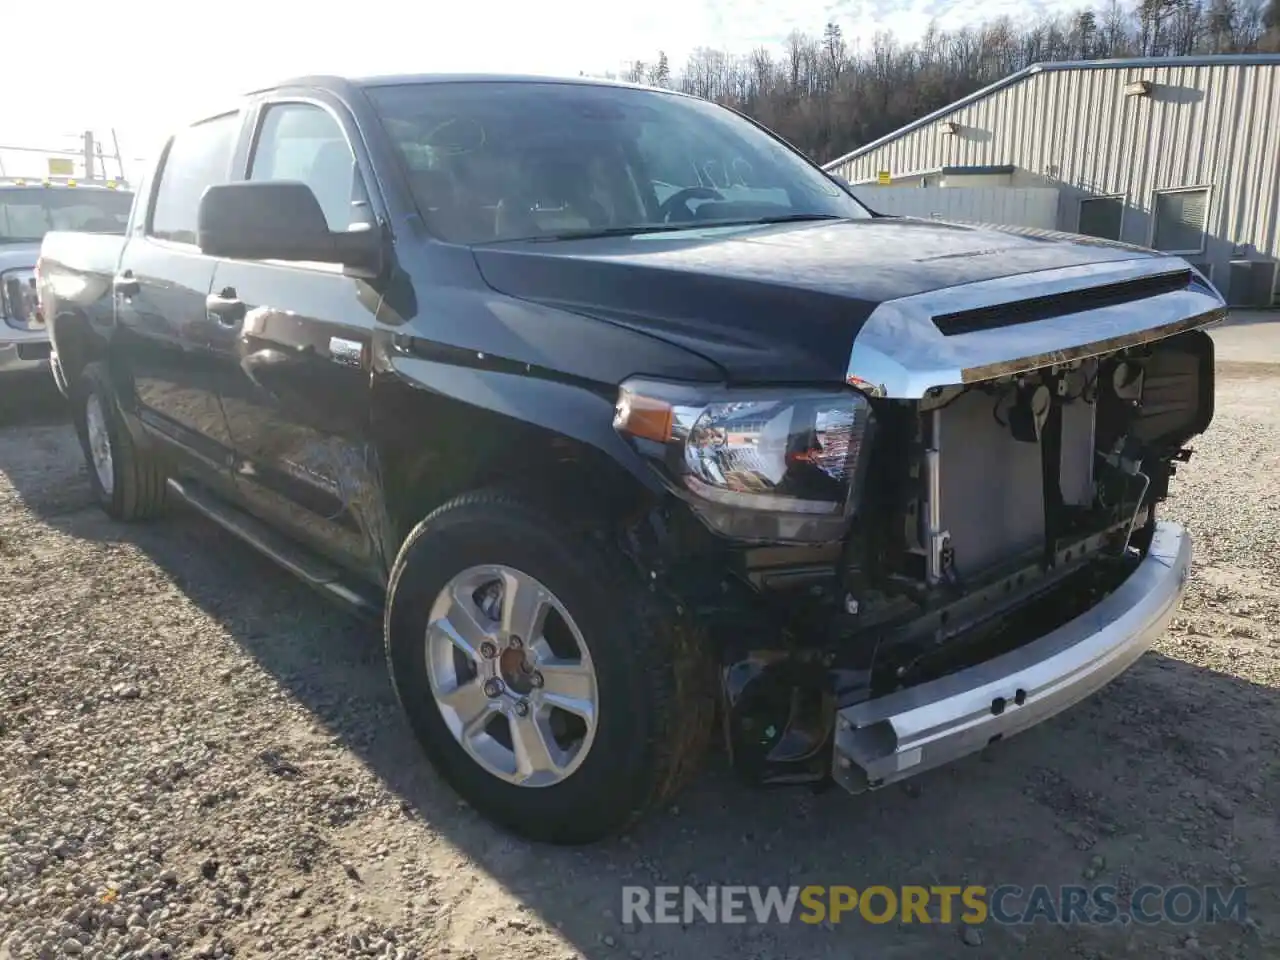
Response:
column 993, row 555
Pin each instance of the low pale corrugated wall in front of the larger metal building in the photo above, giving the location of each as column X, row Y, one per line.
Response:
column 1017, row 207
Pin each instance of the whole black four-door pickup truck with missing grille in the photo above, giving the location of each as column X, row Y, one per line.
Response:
column 636, row 427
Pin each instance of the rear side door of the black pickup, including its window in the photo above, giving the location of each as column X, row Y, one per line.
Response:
column 164, row 327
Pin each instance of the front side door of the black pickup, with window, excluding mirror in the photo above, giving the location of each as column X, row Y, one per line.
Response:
column 296, row 350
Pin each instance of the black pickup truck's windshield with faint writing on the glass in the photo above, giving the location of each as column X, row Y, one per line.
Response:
column 515, row 161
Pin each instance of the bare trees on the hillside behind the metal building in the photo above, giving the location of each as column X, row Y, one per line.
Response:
column 829, row 94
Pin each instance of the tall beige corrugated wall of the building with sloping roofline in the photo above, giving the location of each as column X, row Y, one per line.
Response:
column 1203, row 126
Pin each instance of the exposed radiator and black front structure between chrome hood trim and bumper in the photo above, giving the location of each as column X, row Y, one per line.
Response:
column 994, row 513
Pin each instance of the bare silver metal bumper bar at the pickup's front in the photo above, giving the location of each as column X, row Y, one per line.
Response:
column 897, row 737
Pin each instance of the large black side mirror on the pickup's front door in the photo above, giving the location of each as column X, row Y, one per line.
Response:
column 280, row 221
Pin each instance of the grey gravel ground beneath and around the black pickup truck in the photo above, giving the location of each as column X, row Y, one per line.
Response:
column 202, row 758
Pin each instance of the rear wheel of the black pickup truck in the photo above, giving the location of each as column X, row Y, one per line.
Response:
column 129, row 482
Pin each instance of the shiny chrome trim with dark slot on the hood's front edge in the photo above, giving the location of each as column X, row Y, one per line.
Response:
column 902, row 354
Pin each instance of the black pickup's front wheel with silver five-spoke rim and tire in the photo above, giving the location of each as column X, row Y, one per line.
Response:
column 547, row 684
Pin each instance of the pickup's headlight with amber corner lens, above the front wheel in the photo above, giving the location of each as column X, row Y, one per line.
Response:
column 781, row 465
